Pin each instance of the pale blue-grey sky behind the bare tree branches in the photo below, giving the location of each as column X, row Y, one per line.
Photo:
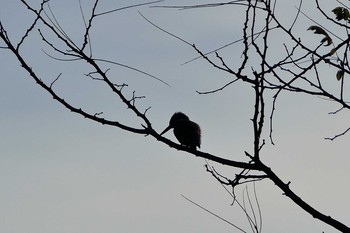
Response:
column 61, row 173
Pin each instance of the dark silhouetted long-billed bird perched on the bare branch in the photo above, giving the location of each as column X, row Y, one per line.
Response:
column 187, row 132
